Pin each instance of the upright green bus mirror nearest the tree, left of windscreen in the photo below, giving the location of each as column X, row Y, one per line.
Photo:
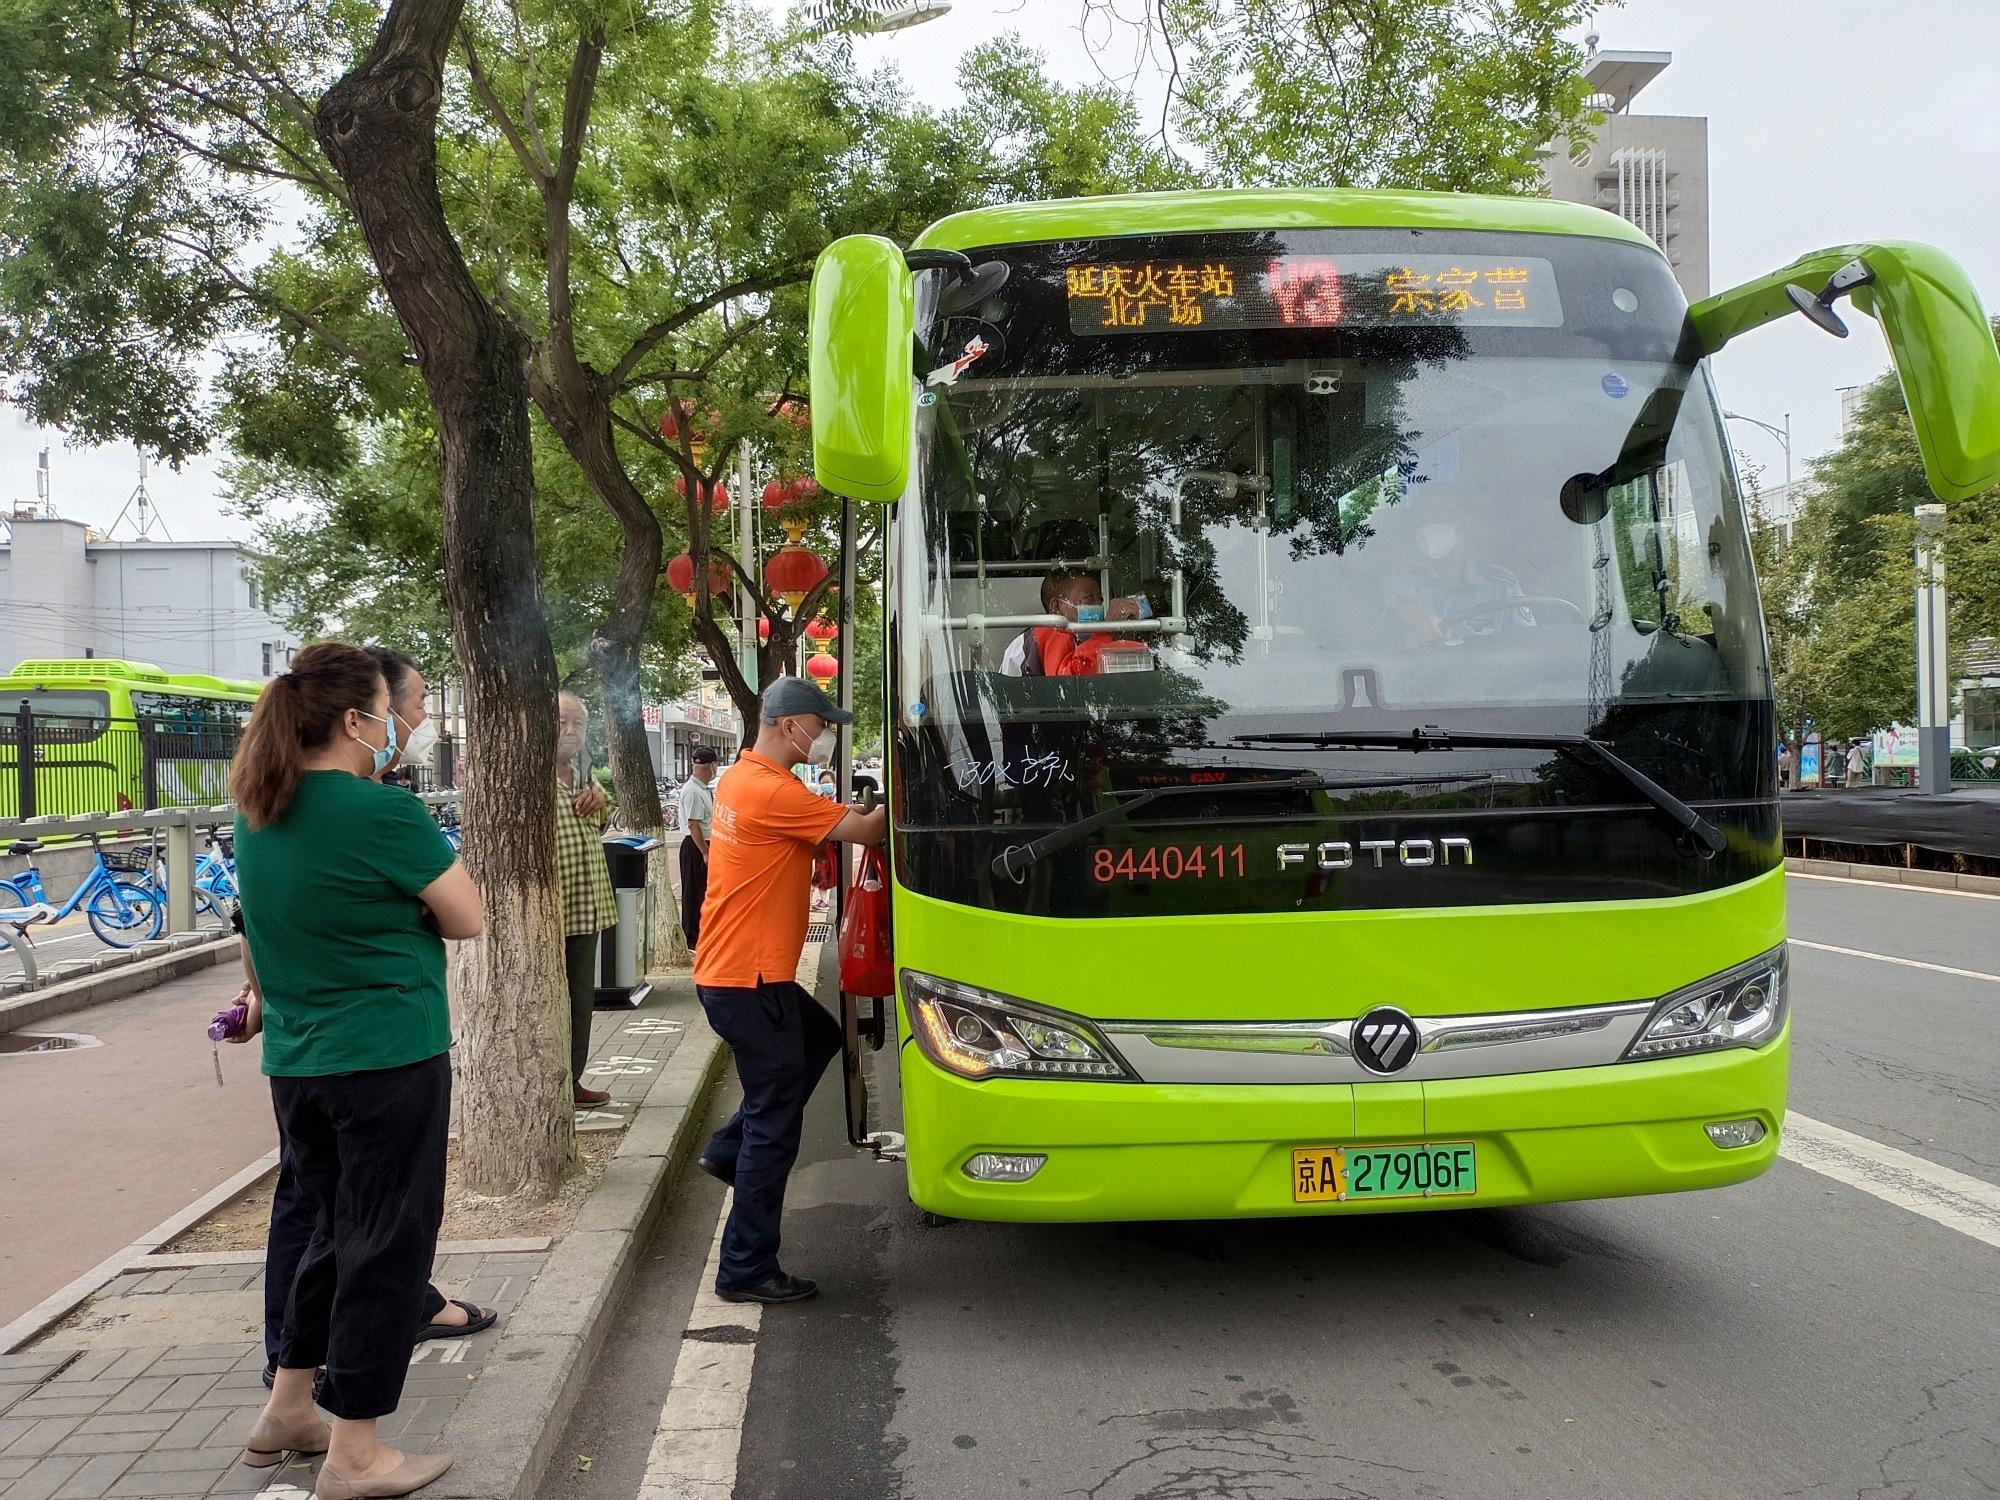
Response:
column 863, row 383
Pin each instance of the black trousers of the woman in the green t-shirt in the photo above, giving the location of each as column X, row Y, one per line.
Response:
column 369, row 1157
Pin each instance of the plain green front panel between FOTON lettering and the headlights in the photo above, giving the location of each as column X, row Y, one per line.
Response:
column 1447, row 961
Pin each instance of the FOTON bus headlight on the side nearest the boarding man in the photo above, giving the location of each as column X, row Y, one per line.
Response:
column 981, row 1035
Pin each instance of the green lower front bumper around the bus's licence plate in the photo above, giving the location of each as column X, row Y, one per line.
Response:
column 1225, row 1151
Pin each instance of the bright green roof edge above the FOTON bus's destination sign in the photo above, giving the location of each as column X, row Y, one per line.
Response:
column 1269, row 209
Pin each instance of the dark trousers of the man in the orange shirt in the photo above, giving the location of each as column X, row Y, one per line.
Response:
column 783, row 1041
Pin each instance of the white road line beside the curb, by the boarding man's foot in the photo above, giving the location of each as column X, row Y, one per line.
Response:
column 701, row 1425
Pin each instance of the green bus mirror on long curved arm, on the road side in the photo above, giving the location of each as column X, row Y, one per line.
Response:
column 1937, row 333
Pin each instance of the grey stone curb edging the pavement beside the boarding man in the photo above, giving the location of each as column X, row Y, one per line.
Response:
column 509, row 1425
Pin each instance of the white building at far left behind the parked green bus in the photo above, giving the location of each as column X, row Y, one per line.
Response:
column 185, row 607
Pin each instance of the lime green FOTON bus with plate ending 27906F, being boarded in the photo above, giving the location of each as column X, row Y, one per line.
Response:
column 1413, row 841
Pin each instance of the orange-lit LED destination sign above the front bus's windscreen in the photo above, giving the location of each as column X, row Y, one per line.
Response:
column 1153, row 297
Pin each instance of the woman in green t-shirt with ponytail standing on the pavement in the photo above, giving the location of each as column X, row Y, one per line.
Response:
column 349, row 893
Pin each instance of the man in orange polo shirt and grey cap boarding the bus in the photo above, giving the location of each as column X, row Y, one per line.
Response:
column 767, row 825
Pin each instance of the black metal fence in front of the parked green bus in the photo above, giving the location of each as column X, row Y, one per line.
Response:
column 65, row 765
